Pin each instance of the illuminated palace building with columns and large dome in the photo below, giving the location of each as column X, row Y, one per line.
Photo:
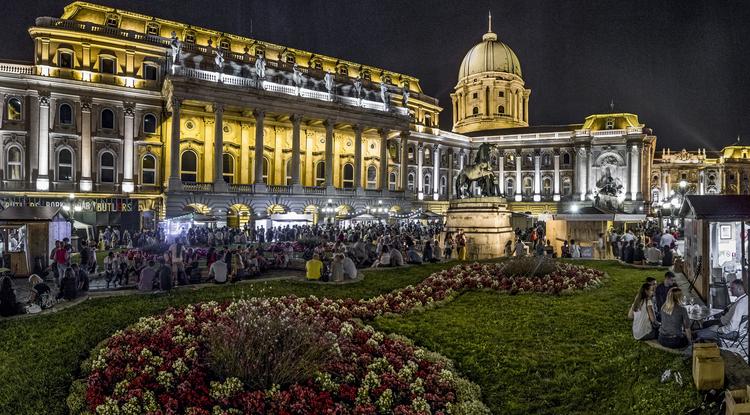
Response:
column 128, row 119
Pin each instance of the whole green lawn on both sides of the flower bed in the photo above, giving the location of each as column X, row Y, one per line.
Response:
column 530, row 353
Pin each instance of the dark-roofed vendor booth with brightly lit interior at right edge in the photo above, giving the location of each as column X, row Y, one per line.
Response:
column 714, row 244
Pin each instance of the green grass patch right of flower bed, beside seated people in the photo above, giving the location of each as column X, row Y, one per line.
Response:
column 539, row 354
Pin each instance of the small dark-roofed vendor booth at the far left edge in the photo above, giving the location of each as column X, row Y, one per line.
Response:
column 28, row 236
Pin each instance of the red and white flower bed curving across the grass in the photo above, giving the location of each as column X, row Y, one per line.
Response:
column 161, row 364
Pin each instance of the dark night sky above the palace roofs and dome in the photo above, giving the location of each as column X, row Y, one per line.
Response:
column 681, row 65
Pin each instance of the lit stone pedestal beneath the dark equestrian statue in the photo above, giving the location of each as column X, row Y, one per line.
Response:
column 485, row 222
